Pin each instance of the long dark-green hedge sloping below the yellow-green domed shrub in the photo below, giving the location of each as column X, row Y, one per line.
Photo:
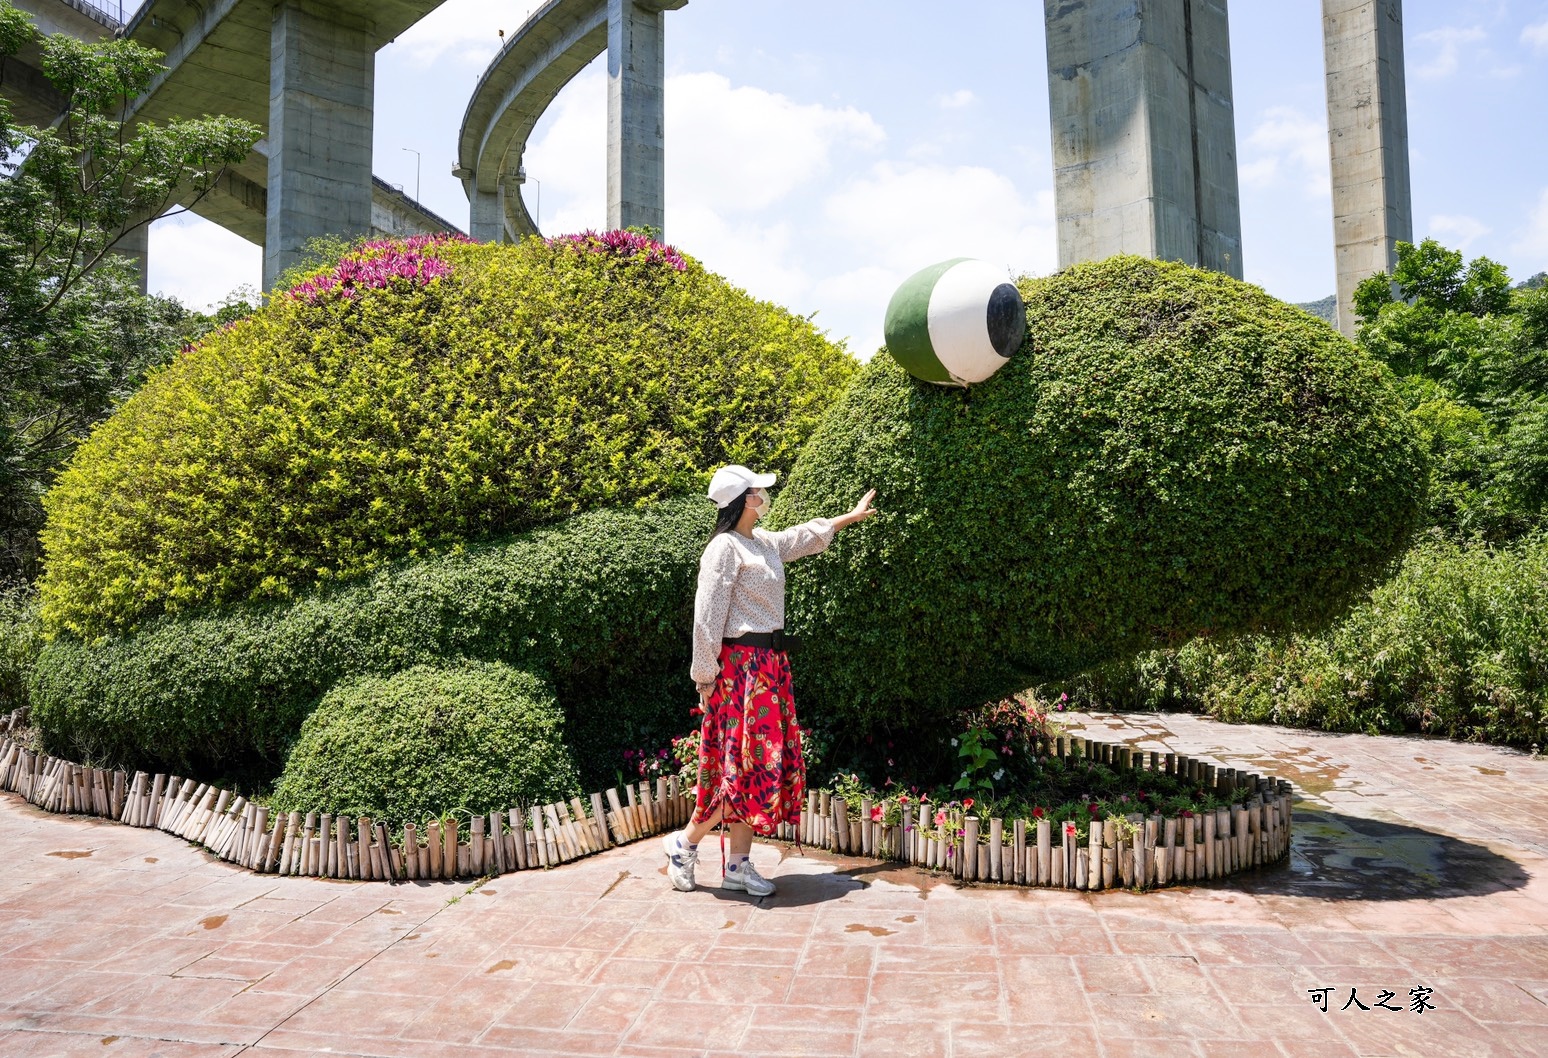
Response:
column 598, row 605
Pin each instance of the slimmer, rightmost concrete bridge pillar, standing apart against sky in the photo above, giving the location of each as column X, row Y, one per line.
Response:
column 1368, row 142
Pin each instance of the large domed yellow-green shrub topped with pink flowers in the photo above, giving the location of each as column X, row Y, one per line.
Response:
column 417, row 397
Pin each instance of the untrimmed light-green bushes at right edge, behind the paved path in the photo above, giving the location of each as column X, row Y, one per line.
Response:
column 1456, row 644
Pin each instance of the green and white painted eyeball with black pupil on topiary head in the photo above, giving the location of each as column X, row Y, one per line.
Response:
column 956, row 323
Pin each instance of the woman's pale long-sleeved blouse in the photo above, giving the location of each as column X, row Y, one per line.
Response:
column 742, row 586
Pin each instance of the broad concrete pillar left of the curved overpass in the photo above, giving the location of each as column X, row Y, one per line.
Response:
column 323, row 80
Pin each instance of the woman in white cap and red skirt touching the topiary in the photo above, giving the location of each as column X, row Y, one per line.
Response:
column 752, row 772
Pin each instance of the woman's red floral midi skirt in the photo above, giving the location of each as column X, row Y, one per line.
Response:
column 750, row 754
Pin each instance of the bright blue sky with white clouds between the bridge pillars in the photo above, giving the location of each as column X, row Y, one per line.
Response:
column 821, row 153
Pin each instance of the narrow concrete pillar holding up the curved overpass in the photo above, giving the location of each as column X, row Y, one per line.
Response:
column 635, row 140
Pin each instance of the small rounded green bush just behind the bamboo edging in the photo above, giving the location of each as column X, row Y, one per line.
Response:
column 468, row 738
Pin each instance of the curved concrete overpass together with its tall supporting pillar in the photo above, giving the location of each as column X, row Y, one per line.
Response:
column 539, row 60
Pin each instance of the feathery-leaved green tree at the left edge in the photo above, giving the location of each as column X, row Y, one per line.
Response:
column 75, row 334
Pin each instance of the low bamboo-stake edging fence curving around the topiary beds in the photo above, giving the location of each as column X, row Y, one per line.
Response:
column 1132, row 853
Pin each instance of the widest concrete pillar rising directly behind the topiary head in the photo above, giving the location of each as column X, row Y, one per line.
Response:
column 1143, row 131
